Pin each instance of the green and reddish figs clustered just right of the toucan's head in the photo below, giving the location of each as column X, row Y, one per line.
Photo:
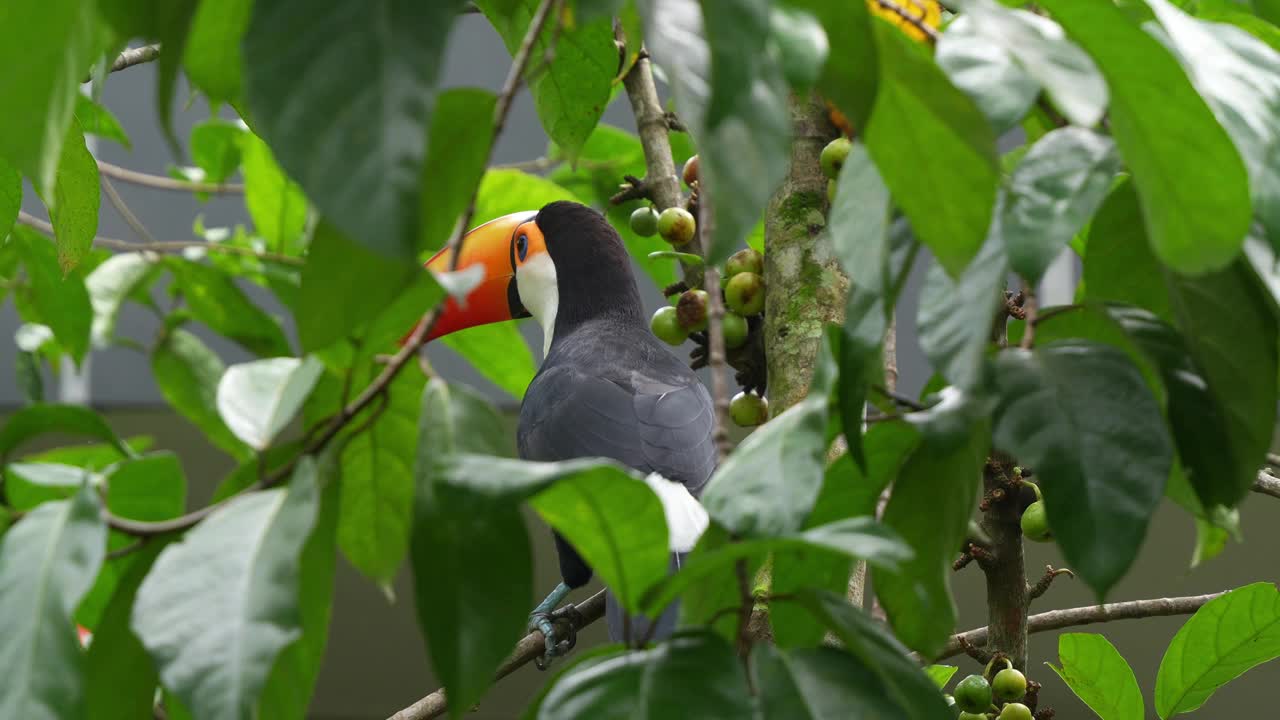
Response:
column 742, row 288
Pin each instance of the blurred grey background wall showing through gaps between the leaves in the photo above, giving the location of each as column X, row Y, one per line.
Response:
column 377, row 663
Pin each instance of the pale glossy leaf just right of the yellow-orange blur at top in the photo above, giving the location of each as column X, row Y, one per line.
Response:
column 988, row 72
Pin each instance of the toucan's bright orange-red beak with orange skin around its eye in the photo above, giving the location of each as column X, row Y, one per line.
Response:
column 500, row 247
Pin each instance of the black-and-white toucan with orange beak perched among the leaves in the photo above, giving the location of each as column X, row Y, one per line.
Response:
column 607, row 388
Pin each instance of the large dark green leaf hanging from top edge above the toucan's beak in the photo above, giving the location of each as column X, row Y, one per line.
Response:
column 356, row 140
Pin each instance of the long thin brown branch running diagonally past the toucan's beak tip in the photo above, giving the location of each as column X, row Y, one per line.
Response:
column 408, row 352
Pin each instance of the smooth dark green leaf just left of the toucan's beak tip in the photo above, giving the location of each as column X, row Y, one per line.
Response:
column 345, row 285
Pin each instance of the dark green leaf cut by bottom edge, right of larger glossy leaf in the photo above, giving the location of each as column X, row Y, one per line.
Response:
column 817, row 683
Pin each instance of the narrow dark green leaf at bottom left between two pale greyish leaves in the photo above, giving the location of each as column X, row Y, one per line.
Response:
column 121, row 681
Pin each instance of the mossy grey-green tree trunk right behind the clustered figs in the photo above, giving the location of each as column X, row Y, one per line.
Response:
column 806, row 289
